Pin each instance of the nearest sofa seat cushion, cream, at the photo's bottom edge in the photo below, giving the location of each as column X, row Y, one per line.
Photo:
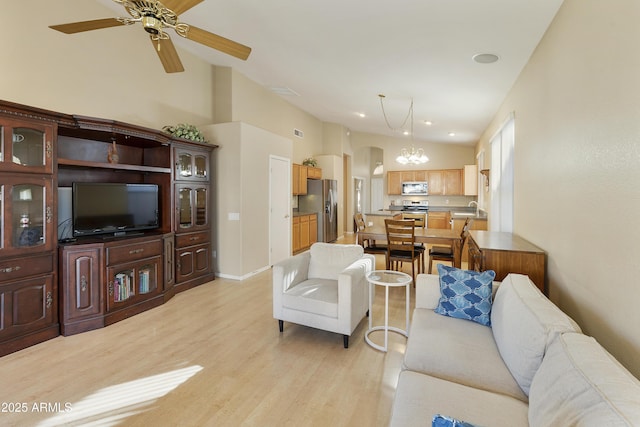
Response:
column 419, row 397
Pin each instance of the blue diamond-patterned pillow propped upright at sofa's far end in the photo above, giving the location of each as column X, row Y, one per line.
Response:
column 465, row 294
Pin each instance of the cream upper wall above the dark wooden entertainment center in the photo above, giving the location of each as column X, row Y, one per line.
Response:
column 112, row 73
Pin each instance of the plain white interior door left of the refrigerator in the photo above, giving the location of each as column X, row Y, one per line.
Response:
column 279, row 209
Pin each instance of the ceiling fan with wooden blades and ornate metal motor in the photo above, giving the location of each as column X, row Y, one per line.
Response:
column 156, row 17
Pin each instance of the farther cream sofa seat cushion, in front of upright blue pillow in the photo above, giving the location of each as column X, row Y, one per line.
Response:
column 458, row 350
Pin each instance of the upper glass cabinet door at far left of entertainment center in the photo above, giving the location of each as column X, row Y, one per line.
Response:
column 26, row 146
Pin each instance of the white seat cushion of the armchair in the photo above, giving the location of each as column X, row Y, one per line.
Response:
column 318, row 296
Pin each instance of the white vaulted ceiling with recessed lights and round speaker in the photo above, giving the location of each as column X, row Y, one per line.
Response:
column 334, row 57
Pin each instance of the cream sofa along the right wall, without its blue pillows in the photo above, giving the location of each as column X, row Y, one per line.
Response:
column 532, row 366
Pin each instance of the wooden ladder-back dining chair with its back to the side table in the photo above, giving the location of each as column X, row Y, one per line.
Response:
column 401, row 244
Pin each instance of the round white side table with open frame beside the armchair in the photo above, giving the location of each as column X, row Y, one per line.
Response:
column 387, row 278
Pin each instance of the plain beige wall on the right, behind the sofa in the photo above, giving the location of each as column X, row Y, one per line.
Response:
column 577, row 166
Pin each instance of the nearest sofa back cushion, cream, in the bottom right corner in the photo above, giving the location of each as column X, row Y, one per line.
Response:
column 580, row 384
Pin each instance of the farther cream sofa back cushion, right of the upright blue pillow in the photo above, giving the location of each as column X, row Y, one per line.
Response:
column 524, row 322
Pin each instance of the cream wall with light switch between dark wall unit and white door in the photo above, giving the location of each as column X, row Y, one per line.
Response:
column 242, row 192
